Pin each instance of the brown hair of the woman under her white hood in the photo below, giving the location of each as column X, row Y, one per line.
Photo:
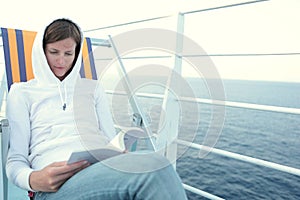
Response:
column 61, row 29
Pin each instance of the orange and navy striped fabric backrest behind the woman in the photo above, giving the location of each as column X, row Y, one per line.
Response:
column 17, row 46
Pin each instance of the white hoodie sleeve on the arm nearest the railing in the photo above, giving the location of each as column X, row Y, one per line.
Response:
column 104, row 115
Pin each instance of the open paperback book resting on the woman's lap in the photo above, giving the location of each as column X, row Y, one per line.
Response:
column 121, row 142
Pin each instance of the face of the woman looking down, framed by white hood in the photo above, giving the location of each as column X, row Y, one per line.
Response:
column 60, row 56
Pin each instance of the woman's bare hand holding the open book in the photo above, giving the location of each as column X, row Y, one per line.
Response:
column 54, row 175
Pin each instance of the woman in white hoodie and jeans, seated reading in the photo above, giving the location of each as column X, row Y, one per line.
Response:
column 58, row 113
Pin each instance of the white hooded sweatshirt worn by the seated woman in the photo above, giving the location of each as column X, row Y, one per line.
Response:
column 49, row 118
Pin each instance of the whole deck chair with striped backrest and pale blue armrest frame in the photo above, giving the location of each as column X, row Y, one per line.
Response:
column 17, row 46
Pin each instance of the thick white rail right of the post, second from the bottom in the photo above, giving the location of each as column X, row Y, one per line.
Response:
column 284, row 168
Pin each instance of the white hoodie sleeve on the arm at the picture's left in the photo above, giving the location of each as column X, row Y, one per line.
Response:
column 17, row 166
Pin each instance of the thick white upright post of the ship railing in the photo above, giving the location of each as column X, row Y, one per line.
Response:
column 169, row 119
